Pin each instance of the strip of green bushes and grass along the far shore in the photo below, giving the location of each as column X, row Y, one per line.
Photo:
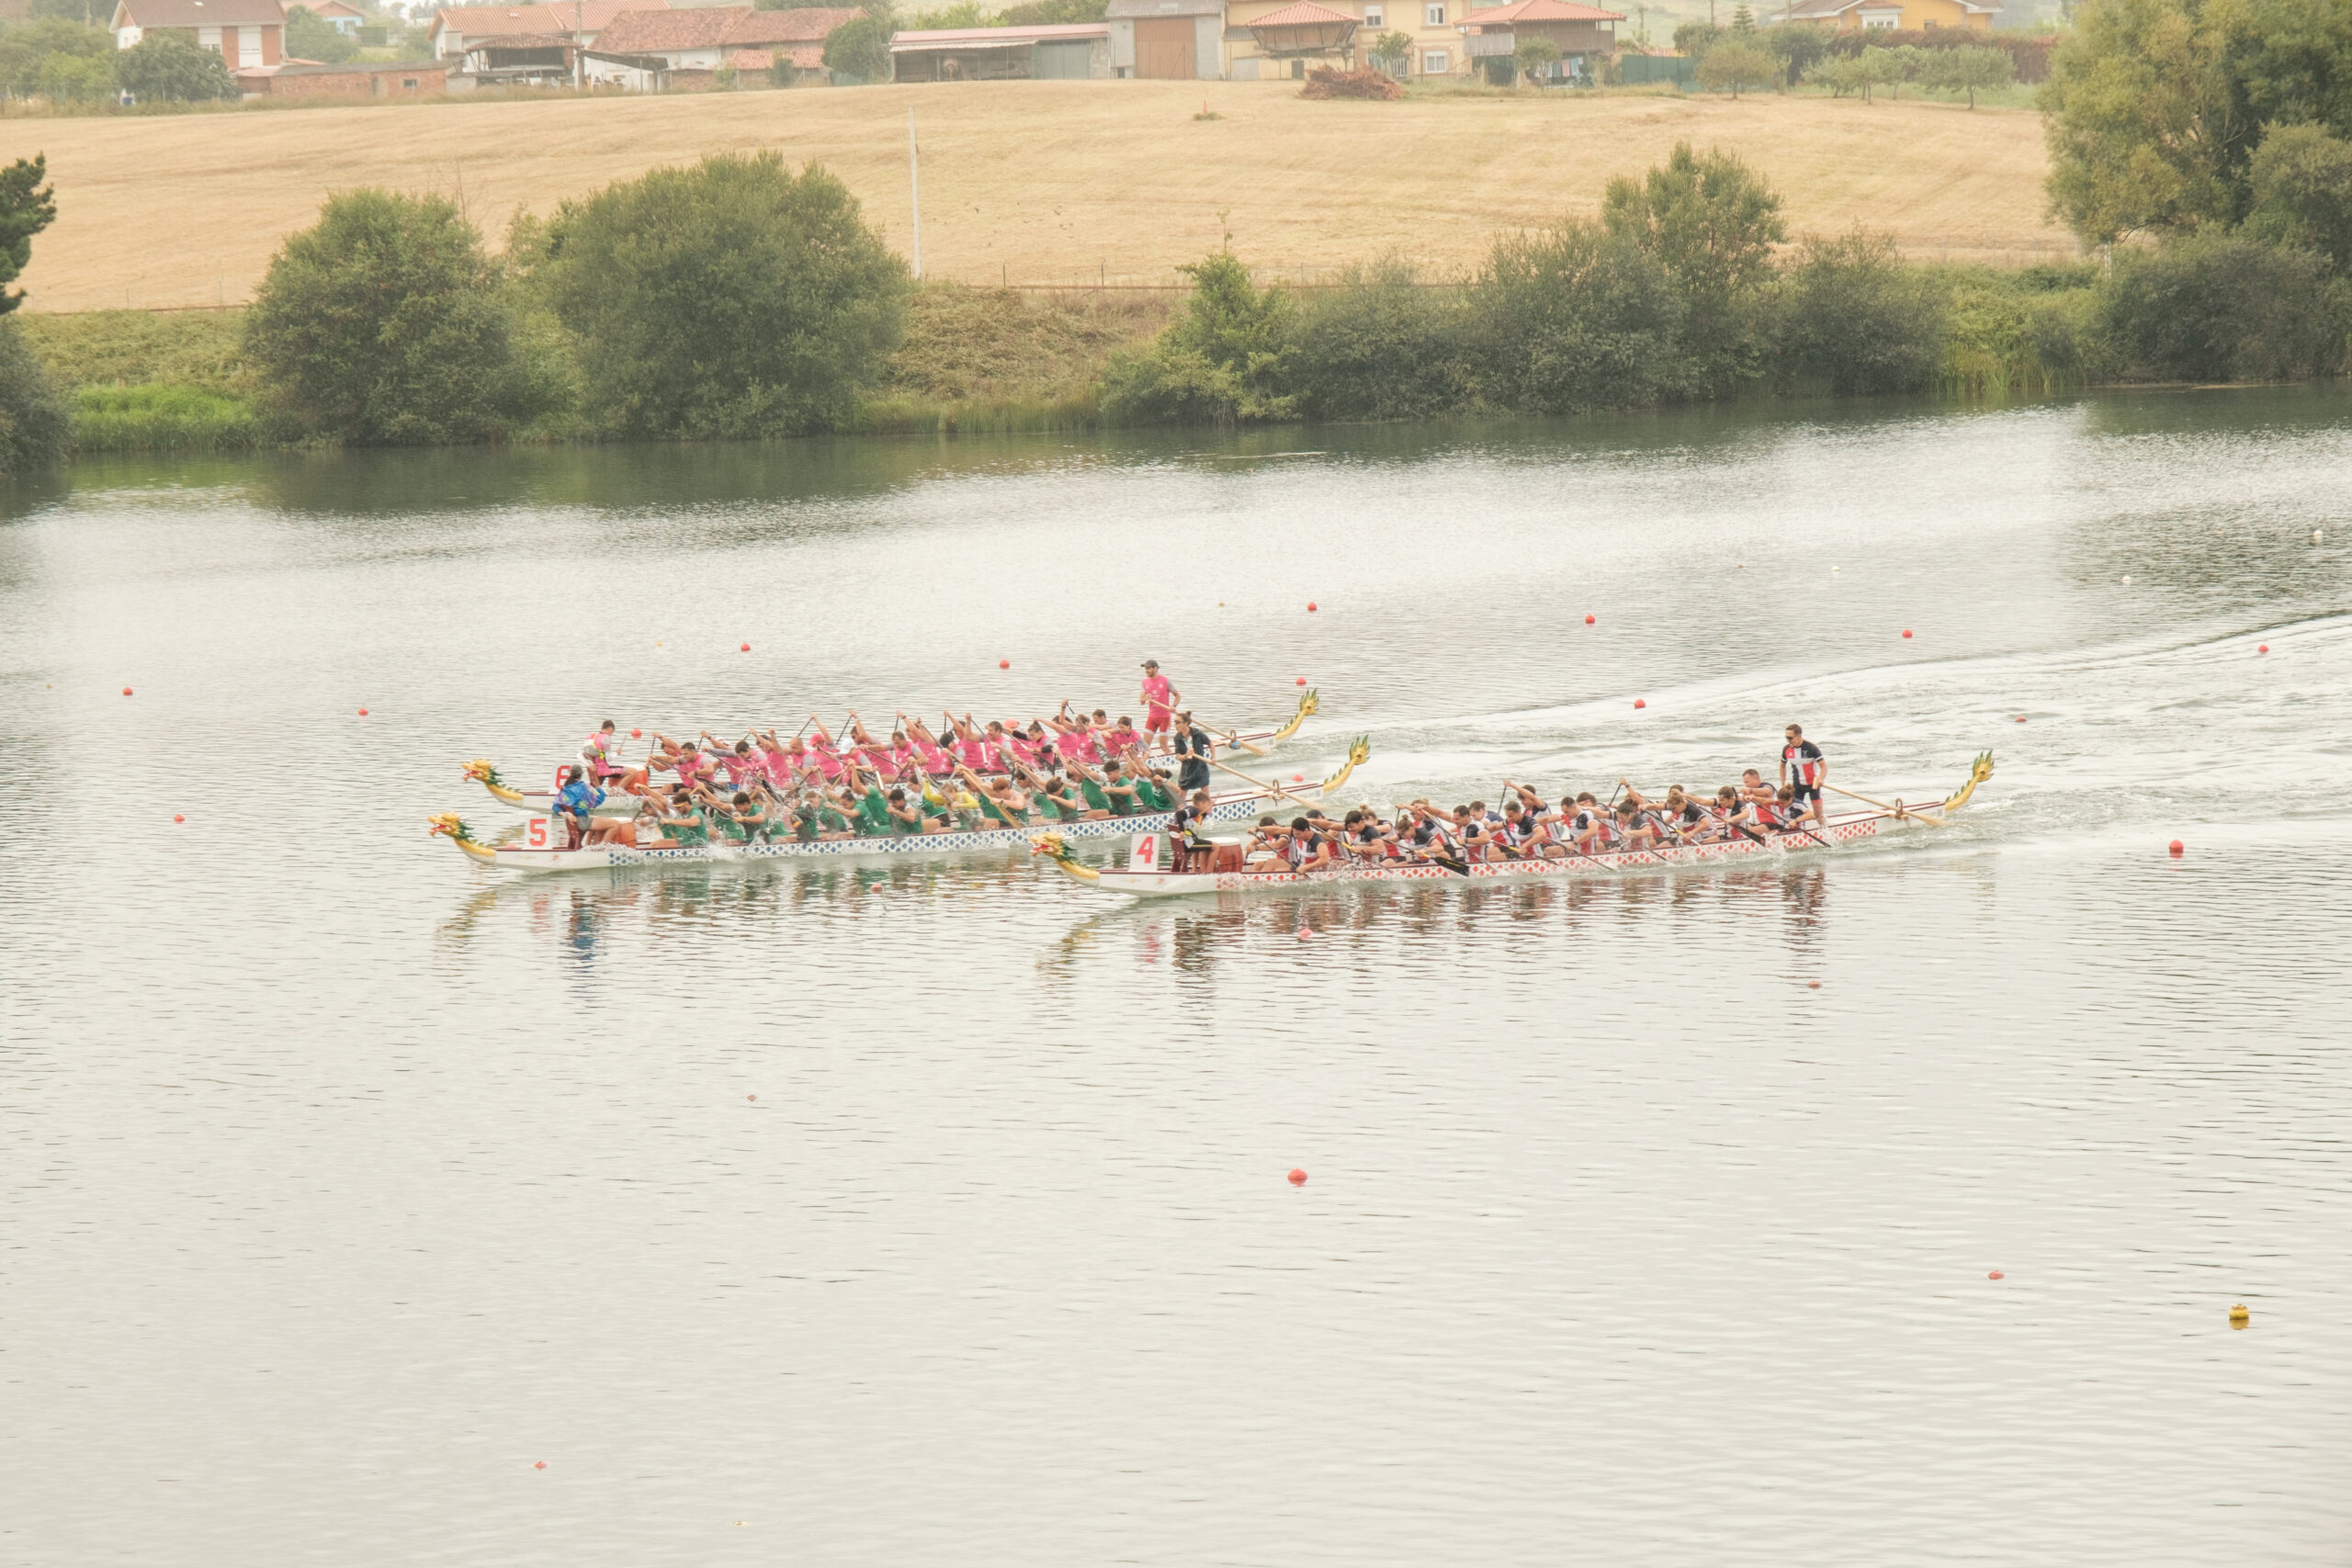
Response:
column 389, row 323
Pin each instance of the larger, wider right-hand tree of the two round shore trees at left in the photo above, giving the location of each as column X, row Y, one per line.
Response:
column 728, row 300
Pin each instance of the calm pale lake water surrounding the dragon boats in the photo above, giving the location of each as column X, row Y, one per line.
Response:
column 347, row 1184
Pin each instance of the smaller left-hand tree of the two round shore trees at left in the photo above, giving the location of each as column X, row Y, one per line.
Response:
column 382, row 326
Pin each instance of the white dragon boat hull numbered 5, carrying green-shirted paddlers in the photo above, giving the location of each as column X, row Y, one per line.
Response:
column 542, row 838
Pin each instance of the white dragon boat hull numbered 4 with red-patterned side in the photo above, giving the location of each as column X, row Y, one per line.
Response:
column 1142, row 878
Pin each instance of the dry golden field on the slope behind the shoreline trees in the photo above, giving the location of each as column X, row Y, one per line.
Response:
column 1029, row 182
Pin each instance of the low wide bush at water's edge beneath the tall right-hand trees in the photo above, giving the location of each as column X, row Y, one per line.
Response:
column 2219, row 307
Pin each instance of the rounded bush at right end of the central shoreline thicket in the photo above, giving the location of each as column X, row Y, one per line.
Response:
column 1852, row 319
